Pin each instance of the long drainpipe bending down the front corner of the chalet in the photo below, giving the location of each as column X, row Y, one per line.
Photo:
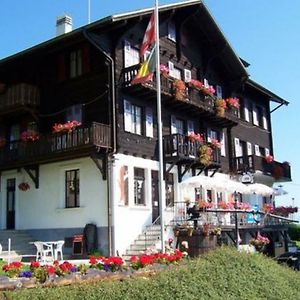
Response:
column 110, row 179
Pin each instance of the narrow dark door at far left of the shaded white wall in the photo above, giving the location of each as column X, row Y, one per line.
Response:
column 10, row 203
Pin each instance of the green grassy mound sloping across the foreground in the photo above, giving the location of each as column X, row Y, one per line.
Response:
column 222, row 274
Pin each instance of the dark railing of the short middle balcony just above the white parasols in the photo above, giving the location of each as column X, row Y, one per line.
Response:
column 180, row 147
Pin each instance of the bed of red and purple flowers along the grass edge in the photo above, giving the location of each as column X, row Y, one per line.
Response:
column 28, row 276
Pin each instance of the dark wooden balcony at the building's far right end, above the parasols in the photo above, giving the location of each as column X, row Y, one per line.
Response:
column 253, row 163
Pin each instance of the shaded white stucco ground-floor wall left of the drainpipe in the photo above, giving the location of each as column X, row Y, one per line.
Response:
column 44, row 207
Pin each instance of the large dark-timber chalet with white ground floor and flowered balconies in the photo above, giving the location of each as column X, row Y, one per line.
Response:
column 102, row 166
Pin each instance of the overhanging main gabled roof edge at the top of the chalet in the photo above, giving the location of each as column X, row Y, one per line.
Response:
column 107, row 21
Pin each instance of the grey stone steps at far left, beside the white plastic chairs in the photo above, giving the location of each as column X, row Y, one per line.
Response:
column 20, row 247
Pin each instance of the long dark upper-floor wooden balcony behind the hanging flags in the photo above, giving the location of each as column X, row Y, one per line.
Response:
column 193, row 102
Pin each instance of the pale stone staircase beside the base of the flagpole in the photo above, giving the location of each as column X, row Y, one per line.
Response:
column 145, row 241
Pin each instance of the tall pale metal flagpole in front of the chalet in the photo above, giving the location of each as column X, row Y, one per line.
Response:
column 161, row 189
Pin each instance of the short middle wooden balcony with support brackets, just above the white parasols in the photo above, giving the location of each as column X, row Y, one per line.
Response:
column 180, row 151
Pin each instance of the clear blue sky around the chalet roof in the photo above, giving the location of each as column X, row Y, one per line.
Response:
column 263, row 32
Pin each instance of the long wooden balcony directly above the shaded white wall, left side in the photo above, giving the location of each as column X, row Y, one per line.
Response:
column 54, row 147
